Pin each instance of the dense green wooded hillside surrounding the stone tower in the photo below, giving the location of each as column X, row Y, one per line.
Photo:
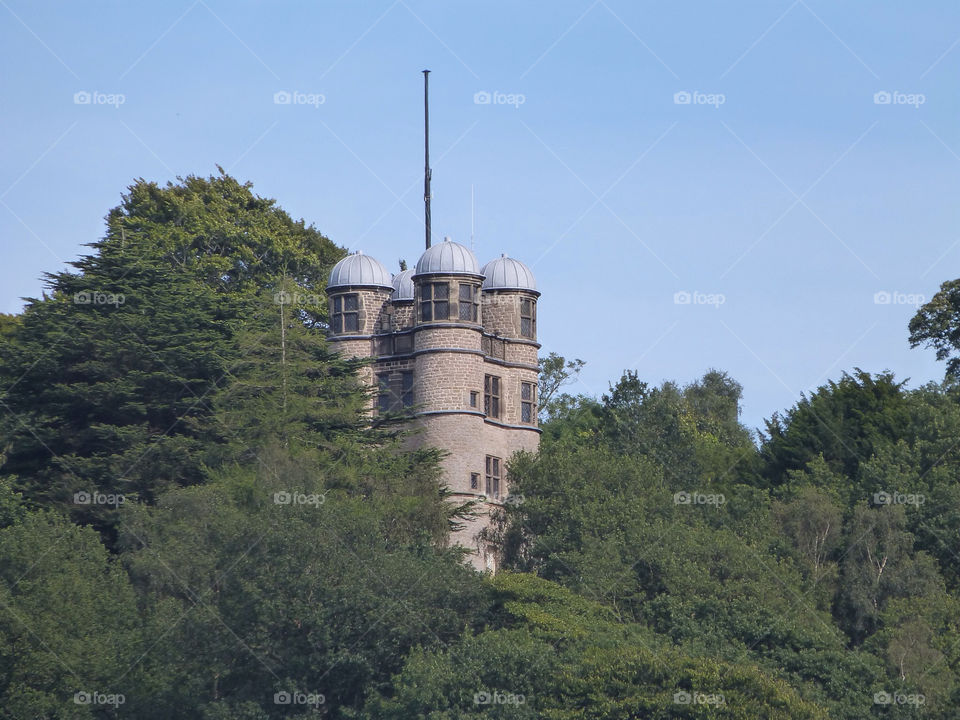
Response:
column 197, row 520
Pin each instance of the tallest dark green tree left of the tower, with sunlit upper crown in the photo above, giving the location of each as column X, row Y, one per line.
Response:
column 107, row 380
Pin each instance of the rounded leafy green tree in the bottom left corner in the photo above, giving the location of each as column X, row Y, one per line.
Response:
column 68, row 624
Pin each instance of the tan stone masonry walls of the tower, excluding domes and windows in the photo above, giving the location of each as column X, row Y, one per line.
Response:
column 448, row 362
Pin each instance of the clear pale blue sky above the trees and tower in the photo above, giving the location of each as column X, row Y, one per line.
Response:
column 782, row 196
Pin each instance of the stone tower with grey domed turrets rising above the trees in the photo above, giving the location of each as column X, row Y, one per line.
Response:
column 456, row 347
